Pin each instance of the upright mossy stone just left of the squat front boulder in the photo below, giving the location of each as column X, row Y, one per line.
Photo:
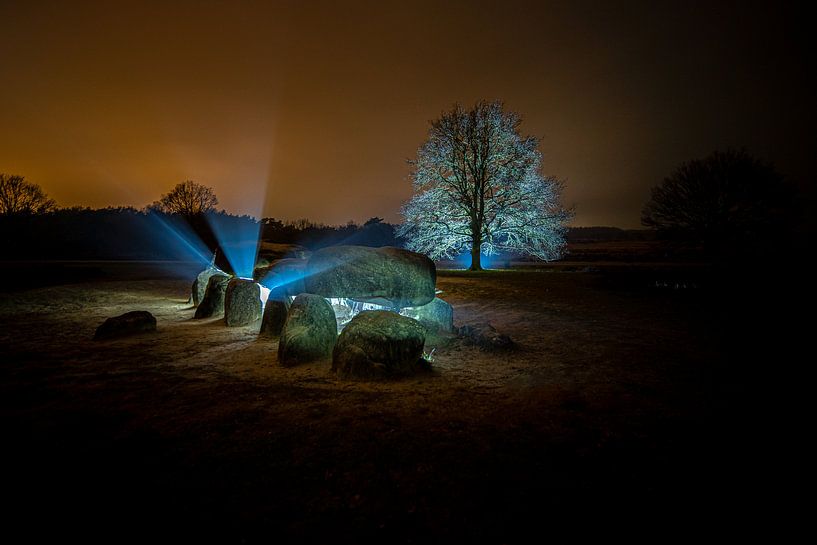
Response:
column 310, row 331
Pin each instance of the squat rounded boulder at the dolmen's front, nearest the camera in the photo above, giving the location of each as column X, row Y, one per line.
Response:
column 379, row 344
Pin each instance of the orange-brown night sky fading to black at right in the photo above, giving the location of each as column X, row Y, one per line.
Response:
column 310, row 109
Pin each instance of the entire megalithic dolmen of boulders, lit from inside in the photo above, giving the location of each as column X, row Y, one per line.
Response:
column 382, row 301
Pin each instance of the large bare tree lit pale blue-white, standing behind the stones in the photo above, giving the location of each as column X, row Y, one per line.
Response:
column 477, row 187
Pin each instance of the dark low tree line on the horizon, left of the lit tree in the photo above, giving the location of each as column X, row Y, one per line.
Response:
column 127, row 233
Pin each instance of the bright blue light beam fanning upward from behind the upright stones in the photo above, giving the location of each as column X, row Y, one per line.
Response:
column 238, row 239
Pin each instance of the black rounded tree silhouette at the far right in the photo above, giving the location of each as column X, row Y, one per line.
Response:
column 730, row 202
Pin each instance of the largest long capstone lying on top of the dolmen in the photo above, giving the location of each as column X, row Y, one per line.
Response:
column 388, row 276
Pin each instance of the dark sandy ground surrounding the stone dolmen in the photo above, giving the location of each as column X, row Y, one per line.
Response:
column 626, row 411
